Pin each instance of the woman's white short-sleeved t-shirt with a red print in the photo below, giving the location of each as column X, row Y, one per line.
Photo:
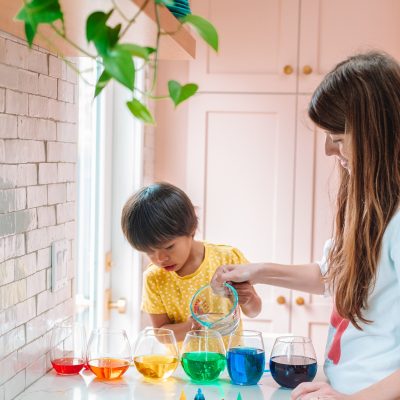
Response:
column 356, row 359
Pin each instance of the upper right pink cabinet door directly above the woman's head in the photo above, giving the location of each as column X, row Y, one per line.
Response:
column 330, row 31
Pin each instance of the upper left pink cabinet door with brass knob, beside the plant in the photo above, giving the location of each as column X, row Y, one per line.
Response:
column 257, row 40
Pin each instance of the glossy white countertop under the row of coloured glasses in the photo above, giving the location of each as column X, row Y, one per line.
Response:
column 86, row 386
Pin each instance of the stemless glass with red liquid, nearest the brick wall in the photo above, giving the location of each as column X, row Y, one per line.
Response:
column 68, row 345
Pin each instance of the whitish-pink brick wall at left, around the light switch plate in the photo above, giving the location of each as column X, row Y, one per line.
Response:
column 38, row 136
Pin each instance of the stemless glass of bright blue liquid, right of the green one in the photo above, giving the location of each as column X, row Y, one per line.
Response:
column 246, row 357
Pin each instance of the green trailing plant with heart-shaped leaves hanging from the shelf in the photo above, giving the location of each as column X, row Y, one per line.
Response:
column 120, row 60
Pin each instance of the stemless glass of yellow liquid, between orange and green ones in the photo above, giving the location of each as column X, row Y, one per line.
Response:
column 156, row 354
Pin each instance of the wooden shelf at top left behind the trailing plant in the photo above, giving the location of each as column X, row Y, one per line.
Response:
column 179, row 46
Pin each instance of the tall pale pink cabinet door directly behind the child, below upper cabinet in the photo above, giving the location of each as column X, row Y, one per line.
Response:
column 240, row 176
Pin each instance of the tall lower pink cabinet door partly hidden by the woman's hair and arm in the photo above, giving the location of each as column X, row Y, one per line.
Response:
column 315, row 190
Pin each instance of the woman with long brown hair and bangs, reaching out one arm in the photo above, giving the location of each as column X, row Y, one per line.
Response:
column 358, row 106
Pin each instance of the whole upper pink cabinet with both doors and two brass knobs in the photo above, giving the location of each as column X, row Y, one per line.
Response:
column 286, row 46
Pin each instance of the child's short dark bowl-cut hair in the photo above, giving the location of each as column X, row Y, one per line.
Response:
column 156, row 214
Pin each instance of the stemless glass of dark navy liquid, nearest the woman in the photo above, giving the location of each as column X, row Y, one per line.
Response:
column 293, row 361
